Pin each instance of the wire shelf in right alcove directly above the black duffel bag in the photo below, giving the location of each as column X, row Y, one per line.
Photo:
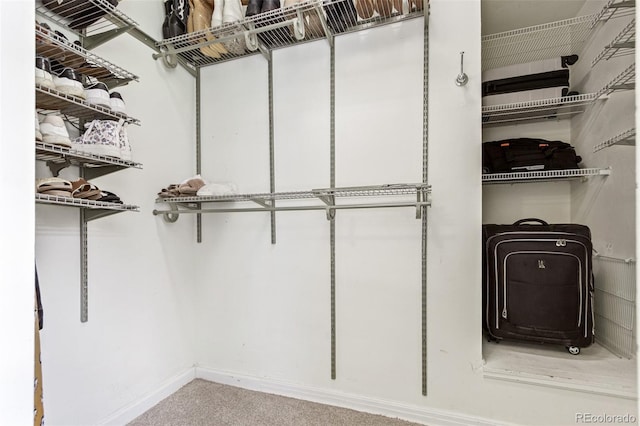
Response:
column 542, row 109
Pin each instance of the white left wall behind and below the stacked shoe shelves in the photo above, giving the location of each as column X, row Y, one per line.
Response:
column 140, row 330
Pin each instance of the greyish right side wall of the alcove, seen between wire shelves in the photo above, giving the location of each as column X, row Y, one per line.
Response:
column 607, row 205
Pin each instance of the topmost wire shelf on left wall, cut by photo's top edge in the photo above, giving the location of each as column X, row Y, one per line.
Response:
column 77, row 16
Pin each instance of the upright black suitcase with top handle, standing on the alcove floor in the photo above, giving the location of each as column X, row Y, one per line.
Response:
column 538, row 283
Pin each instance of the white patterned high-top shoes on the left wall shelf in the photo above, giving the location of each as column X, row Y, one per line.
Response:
column 106, row 138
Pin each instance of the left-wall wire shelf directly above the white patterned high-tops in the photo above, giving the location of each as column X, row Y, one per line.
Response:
column 53, row 100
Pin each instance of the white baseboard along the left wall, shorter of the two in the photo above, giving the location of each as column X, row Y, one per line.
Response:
column 135, row 409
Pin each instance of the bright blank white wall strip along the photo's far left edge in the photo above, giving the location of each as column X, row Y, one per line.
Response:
column 16, row 169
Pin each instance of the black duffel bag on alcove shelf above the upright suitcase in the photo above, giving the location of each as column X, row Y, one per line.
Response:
column 527, row 154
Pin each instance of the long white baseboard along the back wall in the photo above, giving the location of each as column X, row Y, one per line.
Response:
column 387, row 408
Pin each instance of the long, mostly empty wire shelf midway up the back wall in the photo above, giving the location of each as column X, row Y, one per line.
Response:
column 327, row 196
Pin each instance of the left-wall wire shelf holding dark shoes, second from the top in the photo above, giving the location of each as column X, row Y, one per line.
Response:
column 72, row 55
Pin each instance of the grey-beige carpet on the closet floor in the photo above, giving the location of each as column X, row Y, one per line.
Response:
column 201, row 402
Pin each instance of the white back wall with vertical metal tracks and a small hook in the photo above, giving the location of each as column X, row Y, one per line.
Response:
column 266, row 307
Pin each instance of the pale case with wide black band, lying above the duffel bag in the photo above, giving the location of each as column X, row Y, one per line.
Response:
column 545, row 79
